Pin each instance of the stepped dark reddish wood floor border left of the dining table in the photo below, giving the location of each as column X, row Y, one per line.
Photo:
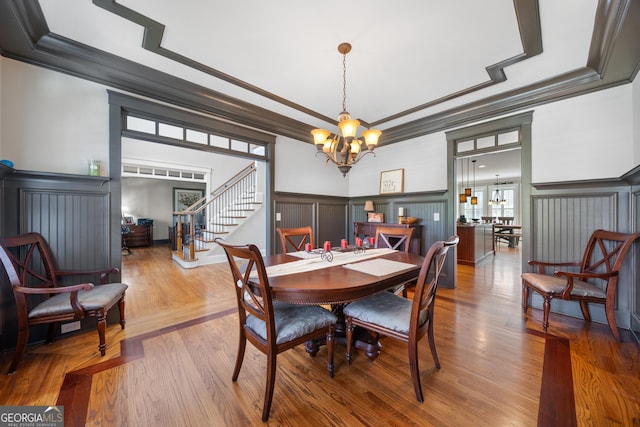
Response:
column 75, row 391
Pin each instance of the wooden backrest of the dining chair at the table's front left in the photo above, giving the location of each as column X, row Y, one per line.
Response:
column 253, row 293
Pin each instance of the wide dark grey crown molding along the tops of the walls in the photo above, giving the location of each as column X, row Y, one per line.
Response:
column 614, row 59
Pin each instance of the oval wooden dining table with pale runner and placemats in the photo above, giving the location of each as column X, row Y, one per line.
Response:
column 309, row 278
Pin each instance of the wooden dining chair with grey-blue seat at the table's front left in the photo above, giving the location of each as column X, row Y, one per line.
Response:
column 271, row 326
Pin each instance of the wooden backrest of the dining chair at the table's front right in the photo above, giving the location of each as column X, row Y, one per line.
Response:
column 427, row 284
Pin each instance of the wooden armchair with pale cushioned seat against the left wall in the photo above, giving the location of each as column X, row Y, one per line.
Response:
column 29, row 266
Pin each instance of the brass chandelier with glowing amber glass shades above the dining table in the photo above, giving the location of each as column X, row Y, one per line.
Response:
column 345, row 151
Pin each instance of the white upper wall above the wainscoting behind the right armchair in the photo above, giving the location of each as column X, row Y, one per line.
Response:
column 586, row 137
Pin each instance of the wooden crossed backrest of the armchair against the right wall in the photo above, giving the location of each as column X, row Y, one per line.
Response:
column 605, row 252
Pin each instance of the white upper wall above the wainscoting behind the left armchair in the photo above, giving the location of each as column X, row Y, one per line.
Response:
column 51, row 121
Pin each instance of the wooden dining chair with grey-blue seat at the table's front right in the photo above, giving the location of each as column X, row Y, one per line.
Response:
column 399, row 318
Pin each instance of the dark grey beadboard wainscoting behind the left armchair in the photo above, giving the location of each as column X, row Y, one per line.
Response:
column 72, row 213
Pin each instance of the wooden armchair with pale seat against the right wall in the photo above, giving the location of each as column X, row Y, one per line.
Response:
column 593, row 279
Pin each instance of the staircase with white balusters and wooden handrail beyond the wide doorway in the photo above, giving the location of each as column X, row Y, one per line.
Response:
column 217, row 214
